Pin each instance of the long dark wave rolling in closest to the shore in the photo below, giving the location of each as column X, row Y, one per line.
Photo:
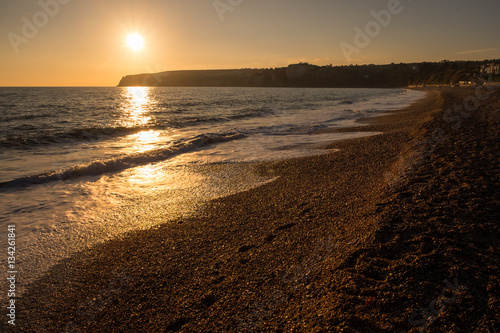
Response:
column 99, row 167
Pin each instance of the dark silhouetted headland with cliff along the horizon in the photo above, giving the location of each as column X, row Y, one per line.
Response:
column 307, row 75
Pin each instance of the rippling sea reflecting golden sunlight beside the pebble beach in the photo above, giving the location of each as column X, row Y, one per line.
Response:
column 80, row 166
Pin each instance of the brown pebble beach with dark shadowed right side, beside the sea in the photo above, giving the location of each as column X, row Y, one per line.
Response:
column 394, row 232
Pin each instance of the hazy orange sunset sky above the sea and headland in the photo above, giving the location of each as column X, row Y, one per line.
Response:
column 84, row 42
